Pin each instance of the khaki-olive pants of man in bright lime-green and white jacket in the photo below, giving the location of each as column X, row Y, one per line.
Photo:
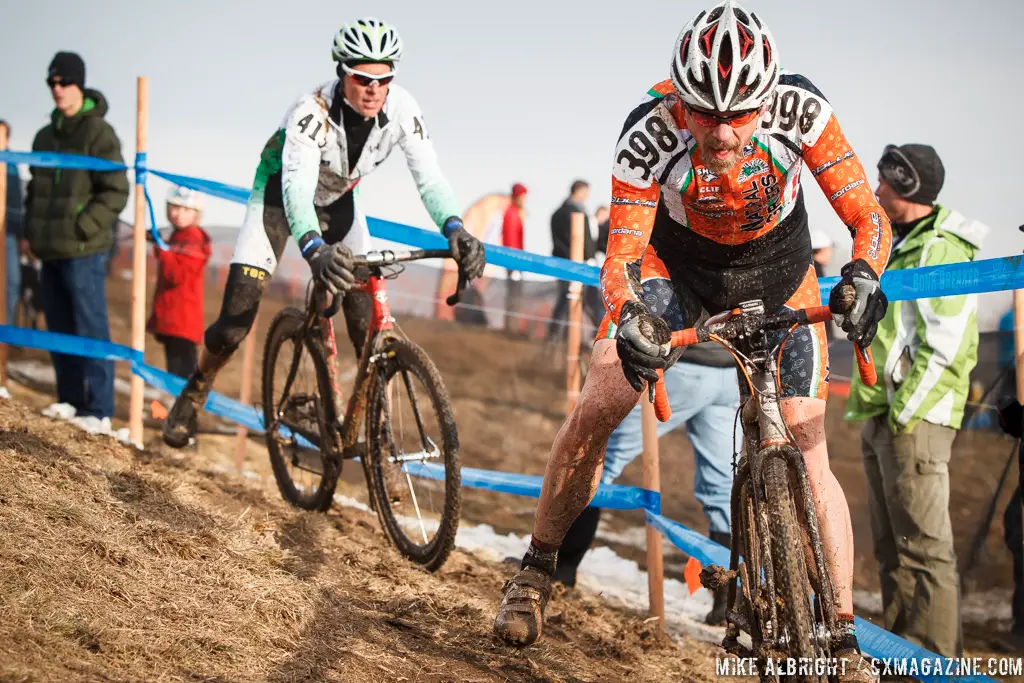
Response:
column 909, row 500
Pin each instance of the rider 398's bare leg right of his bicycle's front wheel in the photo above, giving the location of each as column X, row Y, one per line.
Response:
column 806, row 419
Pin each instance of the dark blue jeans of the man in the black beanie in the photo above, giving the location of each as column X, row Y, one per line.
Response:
column 74, row 293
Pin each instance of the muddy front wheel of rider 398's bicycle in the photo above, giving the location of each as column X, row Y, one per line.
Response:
column 792, row 580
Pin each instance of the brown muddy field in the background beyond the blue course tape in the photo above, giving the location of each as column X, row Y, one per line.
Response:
column 509, row 402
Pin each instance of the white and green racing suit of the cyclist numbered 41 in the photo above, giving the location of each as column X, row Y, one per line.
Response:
column 305, row 166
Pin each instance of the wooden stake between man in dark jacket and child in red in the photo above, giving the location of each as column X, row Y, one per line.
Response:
column 139, row 269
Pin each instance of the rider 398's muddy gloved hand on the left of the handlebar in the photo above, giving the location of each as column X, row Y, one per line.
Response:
column 644, row 345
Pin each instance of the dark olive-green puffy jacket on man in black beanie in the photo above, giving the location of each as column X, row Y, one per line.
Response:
column 71, row 214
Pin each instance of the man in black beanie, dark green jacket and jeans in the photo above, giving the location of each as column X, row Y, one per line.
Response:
column 70, row 217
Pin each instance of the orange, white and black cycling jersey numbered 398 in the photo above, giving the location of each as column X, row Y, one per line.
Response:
column 666, row 199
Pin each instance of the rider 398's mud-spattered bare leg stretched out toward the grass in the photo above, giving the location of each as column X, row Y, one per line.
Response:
column 574, row 469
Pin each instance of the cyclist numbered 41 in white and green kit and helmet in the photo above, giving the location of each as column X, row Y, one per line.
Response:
column 328, row 142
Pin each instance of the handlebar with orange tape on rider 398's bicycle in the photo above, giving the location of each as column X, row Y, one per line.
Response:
column 735, row 327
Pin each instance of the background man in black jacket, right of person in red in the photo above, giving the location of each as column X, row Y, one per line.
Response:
column 562, row 240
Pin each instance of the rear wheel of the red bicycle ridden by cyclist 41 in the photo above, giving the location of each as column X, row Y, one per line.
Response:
column 300, row 437
